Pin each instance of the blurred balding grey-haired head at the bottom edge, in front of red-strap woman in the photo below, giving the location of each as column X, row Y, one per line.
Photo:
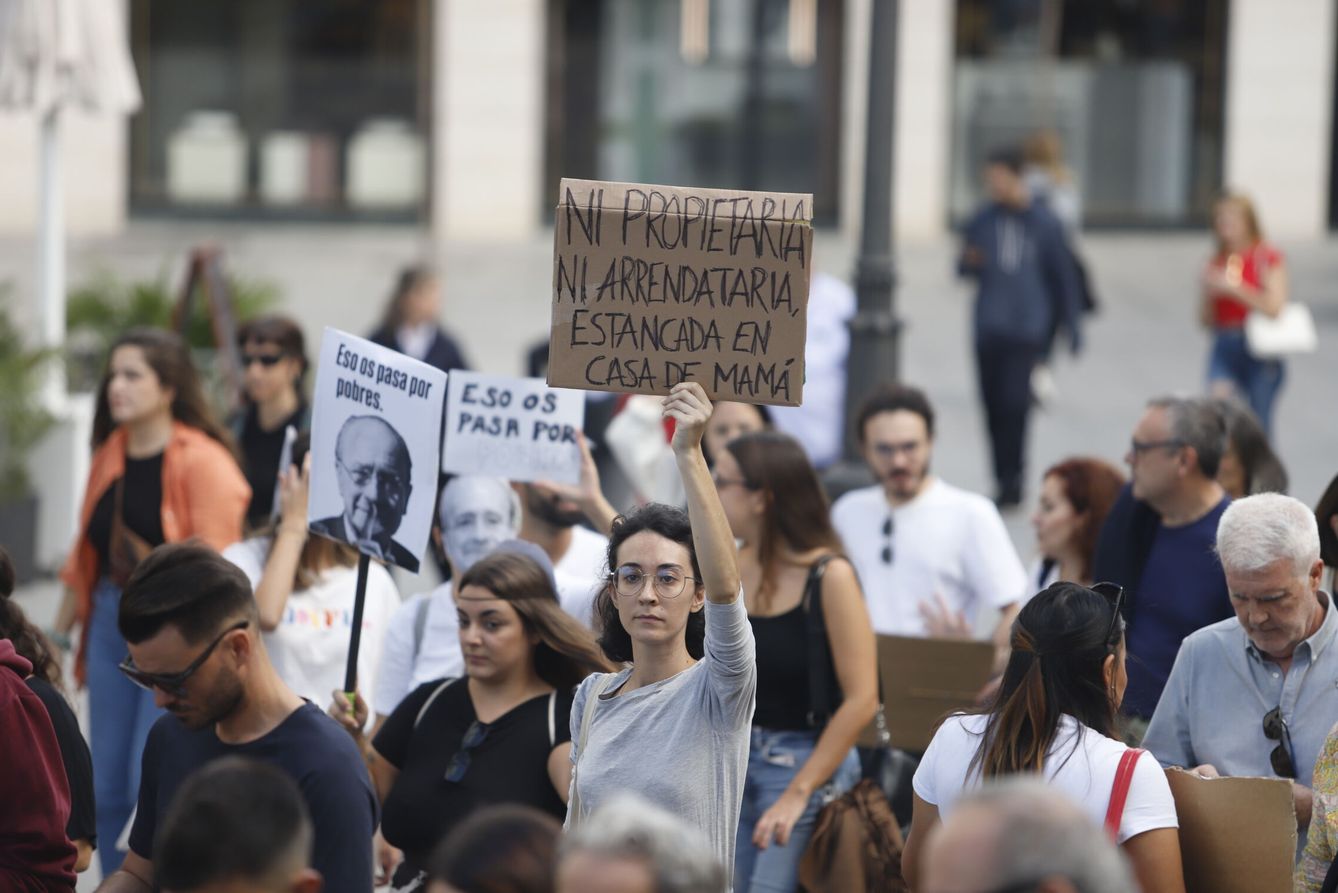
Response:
column 1022, row 835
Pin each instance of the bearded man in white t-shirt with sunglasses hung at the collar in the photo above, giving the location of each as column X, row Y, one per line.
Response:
column 929, row 555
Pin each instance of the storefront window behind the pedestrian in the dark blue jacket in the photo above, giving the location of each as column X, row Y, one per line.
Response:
column 1133, row 90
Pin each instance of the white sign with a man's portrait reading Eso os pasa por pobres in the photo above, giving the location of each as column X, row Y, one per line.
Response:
column 377, row 437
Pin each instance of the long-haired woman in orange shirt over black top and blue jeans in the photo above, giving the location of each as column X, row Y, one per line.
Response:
column 163, row 471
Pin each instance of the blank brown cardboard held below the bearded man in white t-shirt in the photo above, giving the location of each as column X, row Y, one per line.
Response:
column 924, row 681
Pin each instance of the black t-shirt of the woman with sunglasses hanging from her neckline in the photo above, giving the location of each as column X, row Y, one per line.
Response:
column 509, row 766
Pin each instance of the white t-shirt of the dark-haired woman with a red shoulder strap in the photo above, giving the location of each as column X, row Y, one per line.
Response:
column 1086, row 775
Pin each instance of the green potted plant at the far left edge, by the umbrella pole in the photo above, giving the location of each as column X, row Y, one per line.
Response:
column 23, row 422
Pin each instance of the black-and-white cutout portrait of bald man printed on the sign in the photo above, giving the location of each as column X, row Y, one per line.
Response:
column 374, row 472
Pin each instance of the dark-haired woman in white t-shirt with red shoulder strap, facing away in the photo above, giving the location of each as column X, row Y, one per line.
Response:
column 1055, row 716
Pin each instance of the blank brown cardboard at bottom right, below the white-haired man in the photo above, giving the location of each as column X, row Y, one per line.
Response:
column 1237, row 835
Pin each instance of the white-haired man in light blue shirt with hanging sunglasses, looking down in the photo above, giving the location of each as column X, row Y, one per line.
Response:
column 1254, row 696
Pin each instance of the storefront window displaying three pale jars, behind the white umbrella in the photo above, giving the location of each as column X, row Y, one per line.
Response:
column 287, row 109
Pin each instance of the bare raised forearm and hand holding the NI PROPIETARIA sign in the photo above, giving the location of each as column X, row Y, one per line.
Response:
column 688, row 406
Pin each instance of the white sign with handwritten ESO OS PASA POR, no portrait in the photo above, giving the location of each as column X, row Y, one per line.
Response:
column 517, row 429
